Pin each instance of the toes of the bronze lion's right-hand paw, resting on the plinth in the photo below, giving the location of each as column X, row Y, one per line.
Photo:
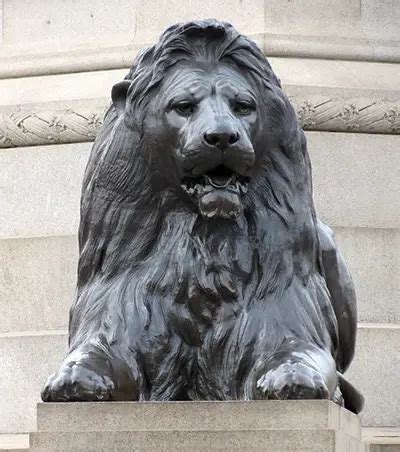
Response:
column 293, row 380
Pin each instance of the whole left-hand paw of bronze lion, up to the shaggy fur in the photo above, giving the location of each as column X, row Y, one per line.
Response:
column 94, row 372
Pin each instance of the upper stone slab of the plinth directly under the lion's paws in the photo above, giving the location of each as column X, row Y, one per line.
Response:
column 196, row 416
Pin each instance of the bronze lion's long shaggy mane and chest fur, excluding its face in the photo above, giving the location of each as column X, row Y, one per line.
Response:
column 161, row 265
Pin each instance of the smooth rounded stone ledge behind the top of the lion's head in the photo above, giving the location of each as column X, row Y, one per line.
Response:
column 21, row 62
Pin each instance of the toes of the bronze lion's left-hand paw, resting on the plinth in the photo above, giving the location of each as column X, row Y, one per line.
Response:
column 76, row 382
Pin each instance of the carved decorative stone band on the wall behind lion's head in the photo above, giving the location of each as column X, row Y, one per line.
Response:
column 315, row 112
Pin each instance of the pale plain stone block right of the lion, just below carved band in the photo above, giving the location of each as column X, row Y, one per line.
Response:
column 355, row 179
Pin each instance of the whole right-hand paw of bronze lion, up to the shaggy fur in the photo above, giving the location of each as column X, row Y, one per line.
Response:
column 298, row 370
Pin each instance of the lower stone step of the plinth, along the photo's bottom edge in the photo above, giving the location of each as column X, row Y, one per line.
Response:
column 268, row 440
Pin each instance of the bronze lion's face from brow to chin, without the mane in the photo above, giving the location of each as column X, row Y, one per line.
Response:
column 208, row 113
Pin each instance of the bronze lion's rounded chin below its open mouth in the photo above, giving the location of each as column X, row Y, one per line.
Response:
column 220, row 203
